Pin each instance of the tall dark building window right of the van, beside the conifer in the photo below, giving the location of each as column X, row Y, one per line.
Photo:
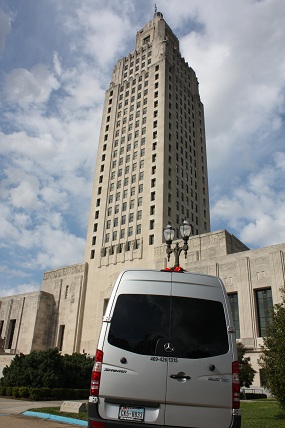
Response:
column 264, row 306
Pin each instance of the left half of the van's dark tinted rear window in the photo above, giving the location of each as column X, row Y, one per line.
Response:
column 138, row 322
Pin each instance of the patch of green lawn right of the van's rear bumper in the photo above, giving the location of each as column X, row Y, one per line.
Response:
column 262, row 414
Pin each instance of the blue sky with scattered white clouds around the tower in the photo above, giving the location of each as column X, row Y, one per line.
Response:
column 56, row 60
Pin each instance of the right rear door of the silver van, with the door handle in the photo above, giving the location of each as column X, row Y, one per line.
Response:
column 199, row 380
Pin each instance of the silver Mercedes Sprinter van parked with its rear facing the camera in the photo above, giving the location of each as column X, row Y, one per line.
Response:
column 166, row 354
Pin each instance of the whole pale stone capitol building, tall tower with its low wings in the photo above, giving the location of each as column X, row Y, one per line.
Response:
column 151, row 170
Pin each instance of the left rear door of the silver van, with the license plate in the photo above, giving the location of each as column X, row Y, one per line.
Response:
column 133, row 378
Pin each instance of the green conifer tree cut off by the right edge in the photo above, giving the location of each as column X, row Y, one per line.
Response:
column 272, row 354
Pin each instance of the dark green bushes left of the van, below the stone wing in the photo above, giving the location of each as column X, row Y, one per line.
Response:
column 48, row 369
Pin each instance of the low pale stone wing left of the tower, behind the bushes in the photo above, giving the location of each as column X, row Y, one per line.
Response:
column 48, row 318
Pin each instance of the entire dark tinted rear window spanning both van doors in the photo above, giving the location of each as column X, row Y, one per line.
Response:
column 144, row 323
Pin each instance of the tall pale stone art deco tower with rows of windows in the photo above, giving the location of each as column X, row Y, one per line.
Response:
column 151, row 166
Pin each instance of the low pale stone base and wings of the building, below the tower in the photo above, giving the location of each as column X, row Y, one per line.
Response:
column 54, row 316
